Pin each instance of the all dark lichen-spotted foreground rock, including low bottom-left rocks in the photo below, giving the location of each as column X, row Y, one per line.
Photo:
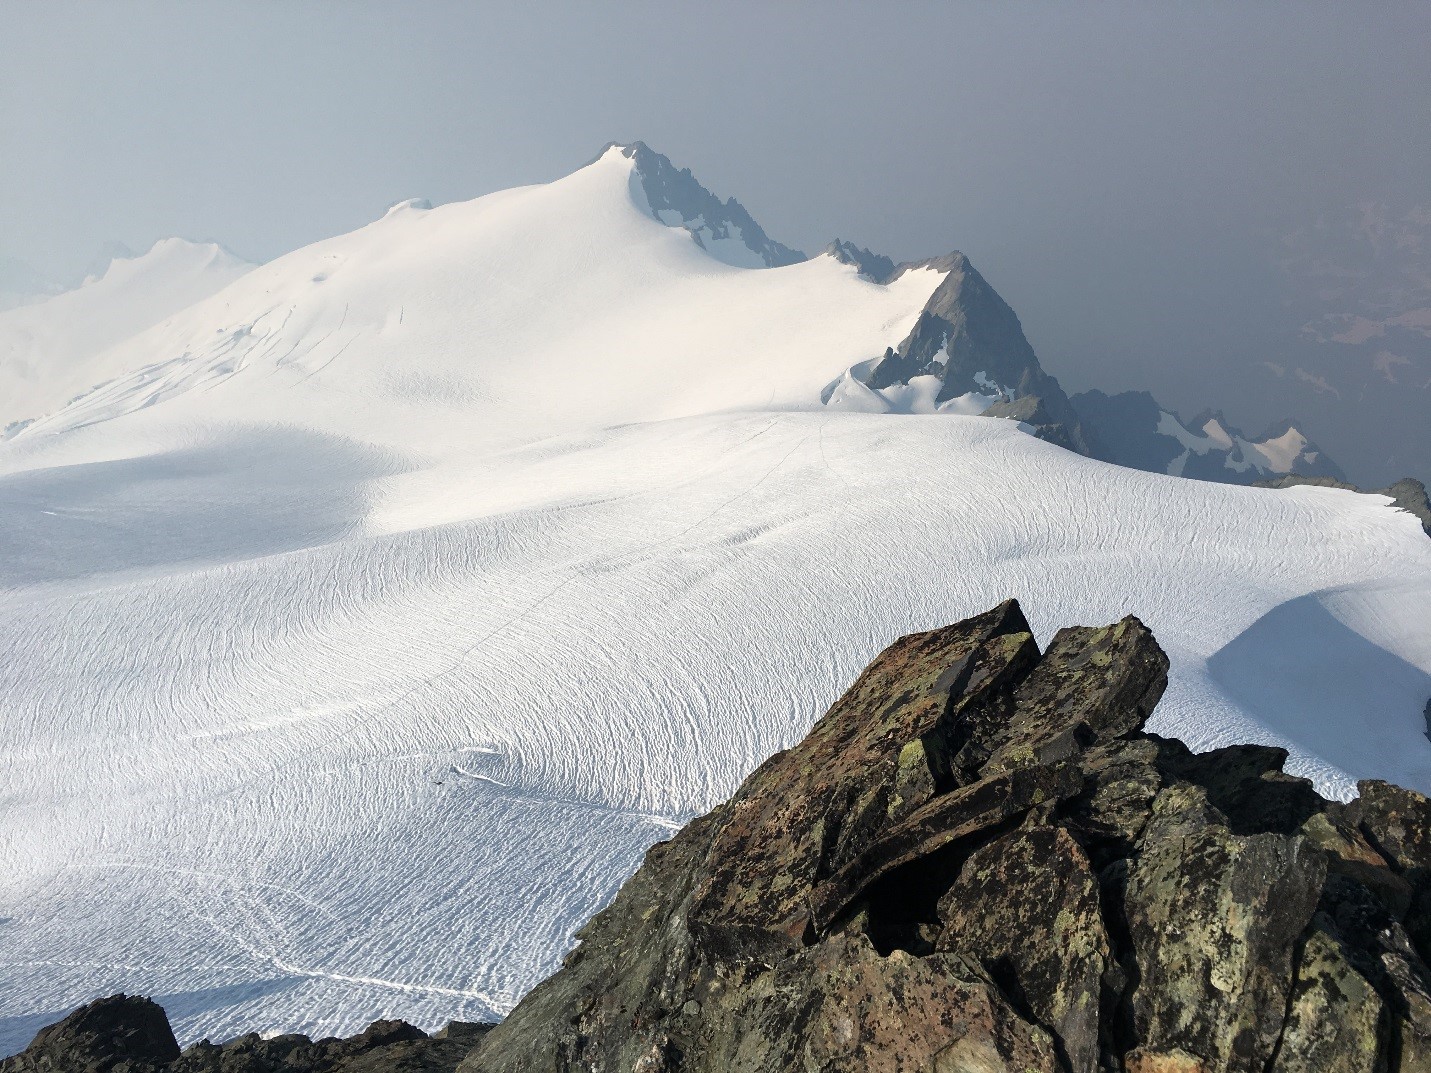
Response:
column 977, row 862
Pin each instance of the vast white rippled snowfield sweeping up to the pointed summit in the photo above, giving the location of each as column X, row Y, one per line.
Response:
column 367, row 620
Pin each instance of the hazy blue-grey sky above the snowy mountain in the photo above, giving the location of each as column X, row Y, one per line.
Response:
column 1115, row 171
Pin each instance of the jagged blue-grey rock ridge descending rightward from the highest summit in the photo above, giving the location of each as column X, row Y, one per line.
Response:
column 968, row 354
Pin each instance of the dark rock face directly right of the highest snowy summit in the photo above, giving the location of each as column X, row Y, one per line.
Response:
column 723, row 230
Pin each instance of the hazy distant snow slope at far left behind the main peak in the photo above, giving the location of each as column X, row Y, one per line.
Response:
column 51, row 351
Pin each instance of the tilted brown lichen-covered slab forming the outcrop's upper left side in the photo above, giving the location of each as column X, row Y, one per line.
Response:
column 881, row 752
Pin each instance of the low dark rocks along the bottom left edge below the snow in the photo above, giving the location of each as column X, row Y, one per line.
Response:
column 132, row 1037
